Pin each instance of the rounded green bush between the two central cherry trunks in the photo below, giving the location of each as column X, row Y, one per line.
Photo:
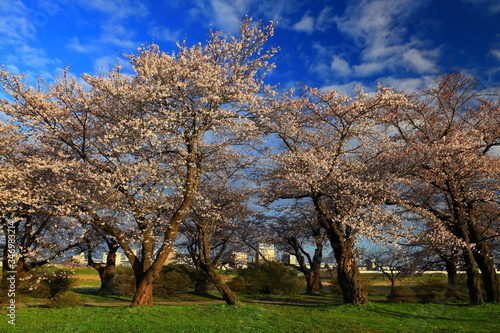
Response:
column 267, row 278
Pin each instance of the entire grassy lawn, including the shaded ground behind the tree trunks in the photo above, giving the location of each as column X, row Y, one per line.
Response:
column 191, row 312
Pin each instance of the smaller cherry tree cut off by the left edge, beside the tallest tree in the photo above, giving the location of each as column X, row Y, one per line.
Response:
column 35, row 234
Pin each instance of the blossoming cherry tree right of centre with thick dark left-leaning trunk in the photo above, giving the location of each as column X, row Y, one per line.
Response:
column 328, row 145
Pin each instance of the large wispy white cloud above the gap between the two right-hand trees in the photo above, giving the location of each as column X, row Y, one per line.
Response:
column 378, row 29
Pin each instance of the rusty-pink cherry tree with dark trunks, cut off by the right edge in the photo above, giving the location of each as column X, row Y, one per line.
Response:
column 443, row 148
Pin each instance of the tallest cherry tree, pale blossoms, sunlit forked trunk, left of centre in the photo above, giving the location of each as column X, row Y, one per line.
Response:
column 133, row 146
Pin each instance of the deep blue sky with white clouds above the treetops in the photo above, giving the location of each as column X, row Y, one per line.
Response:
column 324, row 43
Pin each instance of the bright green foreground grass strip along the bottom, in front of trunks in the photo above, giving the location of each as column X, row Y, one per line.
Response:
column 373, row 317
